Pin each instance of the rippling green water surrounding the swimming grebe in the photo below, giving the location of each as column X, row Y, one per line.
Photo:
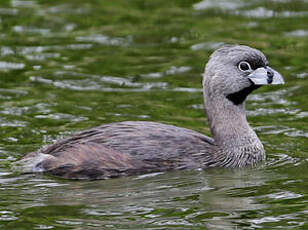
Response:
column 70, row 65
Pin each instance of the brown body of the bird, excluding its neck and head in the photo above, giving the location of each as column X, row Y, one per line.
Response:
column 124, row 148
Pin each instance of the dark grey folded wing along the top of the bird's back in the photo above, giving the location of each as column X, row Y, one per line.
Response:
column 144, row 140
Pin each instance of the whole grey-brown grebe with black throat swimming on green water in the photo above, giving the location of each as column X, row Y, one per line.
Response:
column 139, row 147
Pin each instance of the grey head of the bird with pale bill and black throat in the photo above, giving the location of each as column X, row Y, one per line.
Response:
column 233, row 71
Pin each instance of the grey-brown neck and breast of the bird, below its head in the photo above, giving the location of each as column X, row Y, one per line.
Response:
column 233, row 135
